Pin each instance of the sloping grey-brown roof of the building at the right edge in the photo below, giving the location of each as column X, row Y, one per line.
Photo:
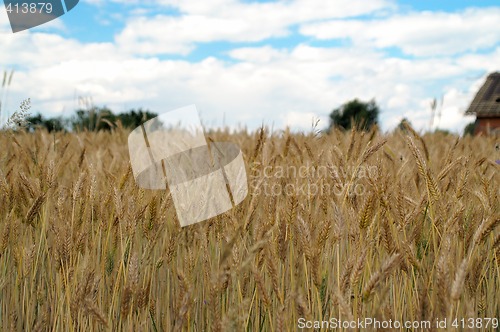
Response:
column 486, row 103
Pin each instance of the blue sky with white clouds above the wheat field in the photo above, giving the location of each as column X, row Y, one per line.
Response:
column 244, row 63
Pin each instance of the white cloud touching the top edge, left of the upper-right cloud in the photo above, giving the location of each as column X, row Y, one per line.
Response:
column 230, row 20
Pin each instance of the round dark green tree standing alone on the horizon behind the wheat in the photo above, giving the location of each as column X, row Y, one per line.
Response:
column 355, row 113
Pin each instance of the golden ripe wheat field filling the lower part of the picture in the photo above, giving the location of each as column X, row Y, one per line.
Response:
column 399, row 226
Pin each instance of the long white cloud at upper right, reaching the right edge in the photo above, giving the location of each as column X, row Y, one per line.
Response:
column 420, row 34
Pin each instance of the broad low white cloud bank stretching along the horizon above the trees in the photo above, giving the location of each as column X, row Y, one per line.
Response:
column 288, row 88
